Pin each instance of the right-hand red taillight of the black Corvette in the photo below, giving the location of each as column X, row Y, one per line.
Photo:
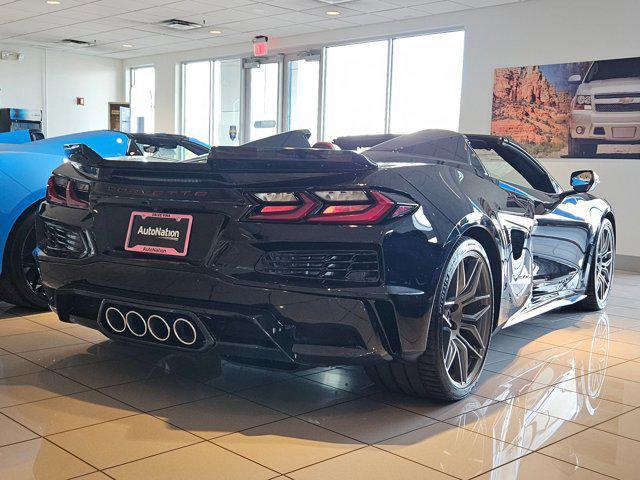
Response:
column 351, row 207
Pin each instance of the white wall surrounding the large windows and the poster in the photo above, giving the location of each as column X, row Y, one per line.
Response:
column 529, row 33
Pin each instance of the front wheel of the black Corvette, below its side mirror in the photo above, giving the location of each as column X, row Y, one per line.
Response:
column 602, row 269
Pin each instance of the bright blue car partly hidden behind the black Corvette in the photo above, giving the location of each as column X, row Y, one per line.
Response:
column 26, row 164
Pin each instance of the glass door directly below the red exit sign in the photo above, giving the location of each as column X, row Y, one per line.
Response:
column 263, row 93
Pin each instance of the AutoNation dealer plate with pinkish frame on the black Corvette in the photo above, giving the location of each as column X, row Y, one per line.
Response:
column 159, row 233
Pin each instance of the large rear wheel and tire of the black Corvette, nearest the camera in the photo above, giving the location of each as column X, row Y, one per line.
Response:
column 459, row 331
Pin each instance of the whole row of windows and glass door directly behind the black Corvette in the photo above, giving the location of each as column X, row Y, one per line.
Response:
column 396, row 85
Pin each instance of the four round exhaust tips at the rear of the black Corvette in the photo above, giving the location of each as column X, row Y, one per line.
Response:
column 183, row 330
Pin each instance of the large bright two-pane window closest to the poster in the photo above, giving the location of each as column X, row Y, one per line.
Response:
column 399, row 85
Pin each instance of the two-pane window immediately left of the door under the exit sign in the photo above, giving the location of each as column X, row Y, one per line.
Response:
column 211, row 101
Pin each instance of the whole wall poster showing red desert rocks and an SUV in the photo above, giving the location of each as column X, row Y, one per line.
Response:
column 581, row 109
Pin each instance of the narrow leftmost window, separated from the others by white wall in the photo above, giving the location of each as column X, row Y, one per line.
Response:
column 142, row 97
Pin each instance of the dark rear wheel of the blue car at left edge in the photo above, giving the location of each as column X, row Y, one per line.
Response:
column 20, row 281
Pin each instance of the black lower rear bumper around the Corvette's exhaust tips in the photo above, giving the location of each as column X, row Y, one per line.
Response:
column 313, row 327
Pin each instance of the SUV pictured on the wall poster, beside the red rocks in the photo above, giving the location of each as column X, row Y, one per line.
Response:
column 606, row 107
